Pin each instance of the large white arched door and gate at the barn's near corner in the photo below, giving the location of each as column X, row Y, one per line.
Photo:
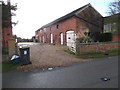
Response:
column 71, row 39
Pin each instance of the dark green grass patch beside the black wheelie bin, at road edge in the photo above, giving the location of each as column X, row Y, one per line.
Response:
column 8, row 66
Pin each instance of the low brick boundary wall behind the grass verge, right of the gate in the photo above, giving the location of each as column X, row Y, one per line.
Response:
column 95, row 47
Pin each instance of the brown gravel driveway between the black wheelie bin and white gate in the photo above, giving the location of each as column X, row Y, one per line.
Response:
column 46, row 56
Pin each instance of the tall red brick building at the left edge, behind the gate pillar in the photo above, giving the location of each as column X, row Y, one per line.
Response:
column 6, row 24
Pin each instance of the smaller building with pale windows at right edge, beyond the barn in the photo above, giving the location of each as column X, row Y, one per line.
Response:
column 112, row 25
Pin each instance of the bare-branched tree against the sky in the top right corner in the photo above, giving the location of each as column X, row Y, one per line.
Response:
column 114, row 7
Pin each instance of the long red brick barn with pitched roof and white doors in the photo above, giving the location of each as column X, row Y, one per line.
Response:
column 83, row 21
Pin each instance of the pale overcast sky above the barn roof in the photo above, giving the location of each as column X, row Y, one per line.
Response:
column 32, row 14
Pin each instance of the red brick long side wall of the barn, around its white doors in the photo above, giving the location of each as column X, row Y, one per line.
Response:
column 69, row 24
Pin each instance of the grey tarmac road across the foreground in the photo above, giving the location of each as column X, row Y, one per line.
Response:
column 80, row 75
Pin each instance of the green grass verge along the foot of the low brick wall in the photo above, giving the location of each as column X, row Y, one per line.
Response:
column 97, row 55
